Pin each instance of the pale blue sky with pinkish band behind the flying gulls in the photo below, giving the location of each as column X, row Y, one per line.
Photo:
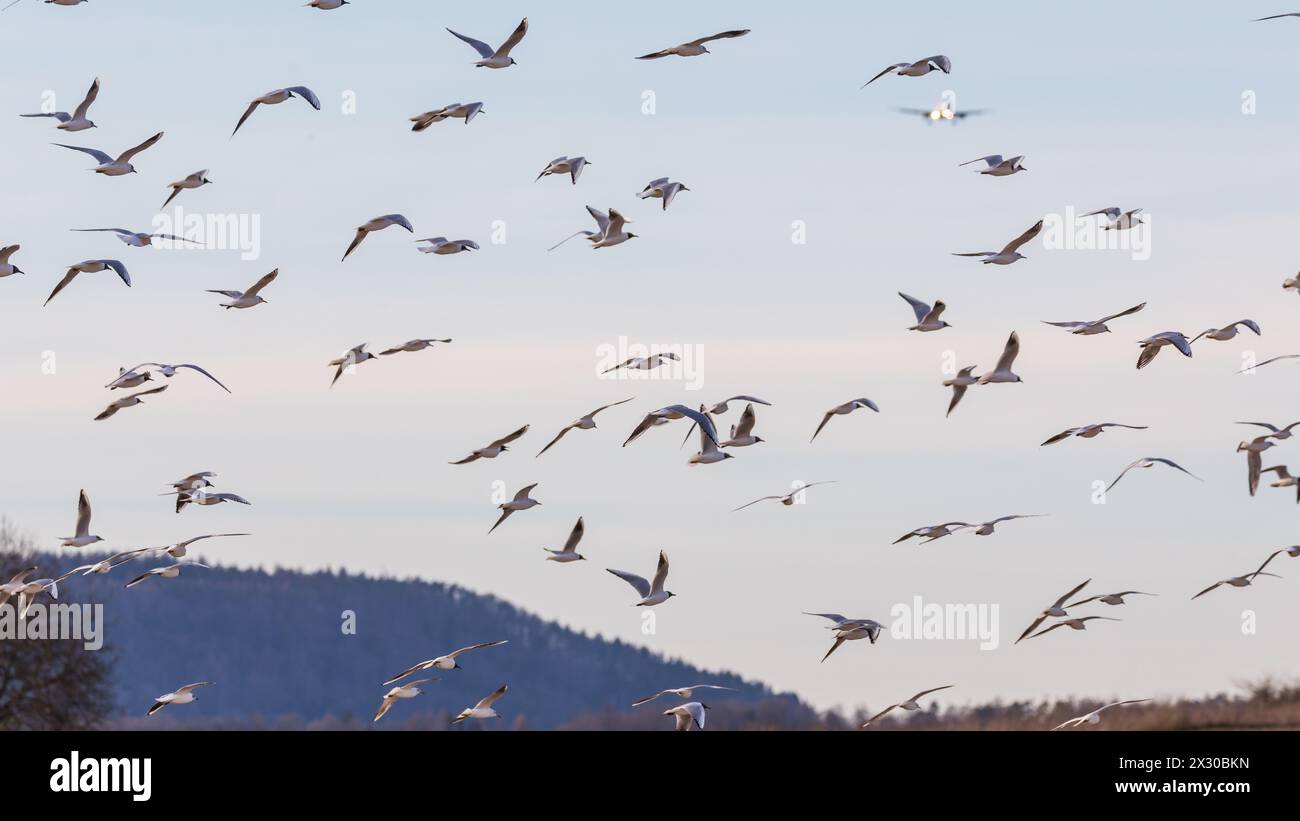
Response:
column 1112, row 103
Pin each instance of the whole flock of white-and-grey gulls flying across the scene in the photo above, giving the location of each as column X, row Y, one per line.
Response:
column 610, row 231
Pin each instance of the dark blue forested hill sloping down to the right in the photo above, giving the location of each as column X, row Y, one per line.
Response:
column 274, row 645
